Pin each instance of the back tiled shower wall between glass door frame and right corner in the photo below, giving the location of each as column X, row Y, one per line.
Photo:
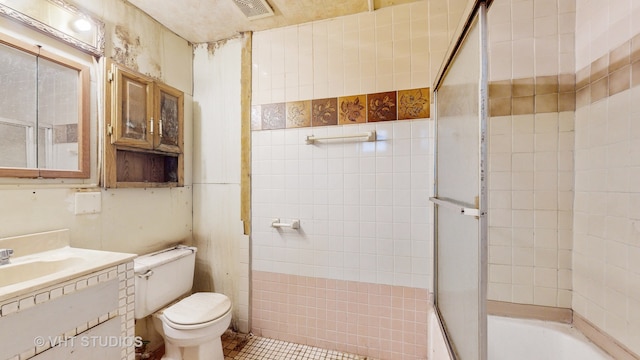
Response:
column 532, row 103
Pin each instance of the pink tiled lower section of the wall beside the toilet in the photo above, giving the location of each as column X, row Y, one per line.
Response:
column 383, row 321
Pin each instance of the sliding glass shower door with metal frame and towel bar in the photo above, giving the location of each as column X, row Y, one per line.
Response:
column 460, row 193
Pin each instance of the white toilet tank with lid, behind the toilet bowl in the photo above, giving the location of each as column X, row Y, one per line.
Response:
column 162, row 277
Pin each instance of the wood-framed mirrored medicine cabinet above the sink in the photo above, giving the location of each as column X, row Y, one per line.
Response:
column 43, row 113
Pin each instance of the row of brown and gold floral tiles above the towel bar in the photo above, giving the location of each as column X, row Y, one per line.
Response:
column 355, row 109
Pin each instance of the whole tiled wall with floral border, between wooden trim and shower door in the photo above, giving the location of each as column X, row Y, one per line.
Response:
column 365, row 242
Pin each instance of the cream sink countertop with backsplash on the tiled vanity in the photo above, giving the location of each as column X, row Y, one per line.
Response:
column 44, row 259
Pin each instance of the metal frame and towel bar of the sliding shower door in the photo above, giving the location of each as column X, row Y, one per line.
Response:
column 476, row 12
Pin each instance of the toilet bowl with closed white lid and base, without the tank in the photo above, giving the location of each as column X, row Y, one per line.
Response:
column 192, row 327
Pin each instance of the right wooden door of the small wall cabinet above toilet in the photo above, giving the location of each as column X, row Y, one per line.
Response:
column 169, row 107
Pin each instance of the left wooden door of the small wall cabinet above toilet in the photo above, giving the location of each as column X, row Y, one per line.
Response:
column 133, row 101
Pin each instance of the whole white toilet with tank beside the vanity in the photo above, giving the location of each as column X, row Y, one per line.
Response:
column 191, row 326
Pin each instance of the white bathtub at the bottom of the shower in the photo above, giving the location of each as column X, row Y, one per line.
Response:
column 524, row 339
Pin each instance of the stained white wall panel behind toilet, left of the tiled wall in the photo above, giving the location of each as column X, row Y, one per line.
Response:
column 223, row 249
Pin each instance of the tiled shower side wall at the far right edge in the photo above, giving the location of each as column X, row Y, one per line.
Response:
column 607, row 152
